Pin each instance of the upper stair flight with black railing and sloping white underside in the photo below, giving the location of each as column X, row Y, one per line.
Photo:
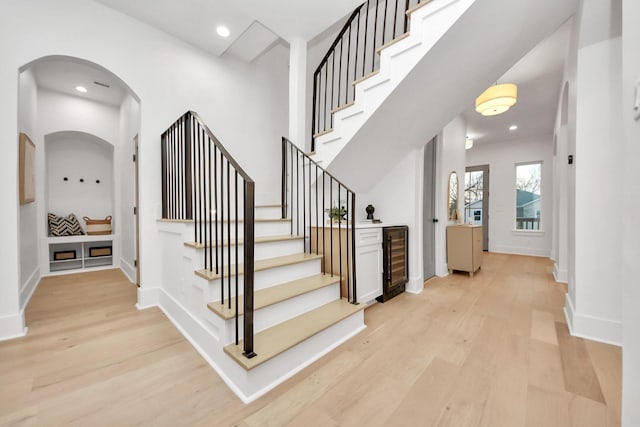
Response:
column 416, row 81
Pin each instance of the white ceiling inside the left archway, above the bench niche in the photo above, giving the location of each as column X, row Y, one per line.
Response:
column 64, row 74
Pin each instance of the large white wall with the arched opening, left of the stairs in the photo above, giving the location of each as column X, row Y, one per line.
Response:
column 244, row 104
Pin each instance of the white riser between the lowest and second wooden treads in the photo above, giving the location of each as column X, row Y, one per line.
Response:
column 269, row 316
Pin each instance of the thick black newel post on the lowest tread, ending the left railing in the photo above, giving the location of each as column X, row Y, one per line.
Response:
column 249, row 260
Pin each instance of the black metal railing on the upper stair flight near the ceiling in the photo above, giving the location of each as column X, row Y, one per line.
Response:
column 353, row 55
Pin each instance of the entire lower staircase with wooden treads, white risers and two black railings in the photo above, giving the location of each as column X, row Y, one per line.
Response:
column 219, row 248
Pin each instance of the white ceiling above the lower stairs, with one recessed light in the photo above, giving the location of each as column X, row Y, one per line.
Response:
column 195, row 21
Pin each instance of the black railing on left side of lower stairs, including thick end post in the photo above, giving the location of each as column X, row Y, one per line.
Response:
column 202, row 182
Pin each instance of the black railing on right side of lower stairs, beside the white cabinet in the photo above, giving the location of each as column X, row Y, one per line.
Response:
column 322, row 210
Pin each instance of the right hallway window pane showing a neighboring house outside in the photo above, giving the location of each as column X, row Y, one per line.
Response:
column 528, row 196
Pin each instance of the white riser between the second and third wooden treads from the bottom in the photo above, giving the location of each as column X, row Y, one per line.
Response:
column 266, row 278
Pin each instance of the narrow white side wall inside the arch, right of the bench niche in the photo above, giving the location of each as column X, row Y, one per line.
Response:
column 129, row 126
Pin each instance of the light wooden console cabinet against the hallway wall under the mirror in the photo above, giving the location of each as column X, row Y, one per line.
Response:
column 464, row 248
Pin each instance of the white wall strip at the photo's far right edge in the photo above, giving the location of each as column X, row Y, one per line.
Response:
column 630, row 250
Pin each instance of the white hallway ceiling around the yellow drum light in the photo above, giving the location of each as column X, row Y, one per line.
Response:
column 539, row 78
